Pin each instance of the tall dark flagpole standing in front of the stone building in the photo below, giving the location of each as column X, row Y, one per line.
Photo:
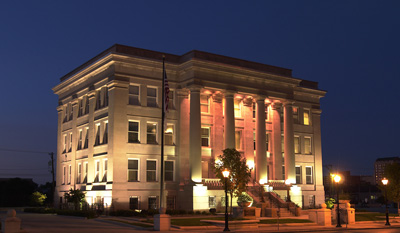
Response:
column 162, row 138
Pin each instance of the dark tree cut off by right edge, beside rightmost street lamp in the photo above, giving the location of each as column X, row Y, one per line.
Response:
column 392, row 173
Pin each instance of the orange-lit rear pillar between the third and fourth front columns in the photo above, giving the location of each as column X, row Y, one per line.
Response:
column 276, row 141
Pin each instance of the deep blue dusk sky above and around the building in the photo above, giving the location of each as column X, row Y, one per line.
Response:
column 351, row 48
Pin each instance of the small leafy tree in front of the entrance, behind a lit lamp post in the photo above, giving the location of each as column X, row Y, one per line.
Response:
column 239, row 174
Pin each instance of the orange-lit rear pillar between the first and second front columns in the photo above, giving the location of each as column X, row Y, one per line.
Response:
column 218, row 128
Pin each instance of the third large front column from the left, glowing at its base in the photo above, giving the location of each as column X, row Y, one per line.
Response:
column 261, row 157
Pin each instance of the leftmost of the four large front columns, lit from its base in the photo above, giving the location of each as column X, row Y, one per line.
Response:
column 195, row 134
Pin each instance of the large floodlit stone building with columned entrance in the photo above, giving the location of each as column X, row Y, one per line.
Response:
column 109, row 118
